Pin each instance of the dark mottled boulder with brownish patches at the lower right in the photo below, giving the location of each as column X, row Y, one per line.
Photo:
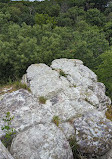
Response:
column 93, row 133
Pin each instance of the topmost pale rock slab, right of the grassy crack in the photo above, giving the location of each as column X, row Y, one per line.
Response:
column 78, row 74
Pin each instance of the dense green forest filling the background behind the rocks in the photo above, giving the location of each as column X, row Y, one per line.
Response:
column 39, row 32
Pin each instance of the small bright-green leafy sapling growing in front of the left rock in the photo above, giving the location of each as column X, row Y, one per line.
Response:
column 9, row 132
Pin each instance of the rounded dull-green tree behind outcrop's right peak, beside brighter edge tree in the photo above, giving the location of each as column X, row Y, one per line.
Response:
column 88, row 45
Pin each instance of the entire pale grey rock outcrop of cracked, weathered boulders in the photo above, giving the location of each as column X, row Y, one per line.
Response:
column 74, row 96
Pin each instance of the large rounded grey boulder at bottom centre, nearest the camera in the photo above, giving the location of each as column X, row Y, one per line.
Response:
column 41, row 142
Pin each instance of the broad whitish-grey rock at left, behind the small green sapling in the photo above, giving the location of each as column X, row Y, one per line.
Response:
column 25, row 109
